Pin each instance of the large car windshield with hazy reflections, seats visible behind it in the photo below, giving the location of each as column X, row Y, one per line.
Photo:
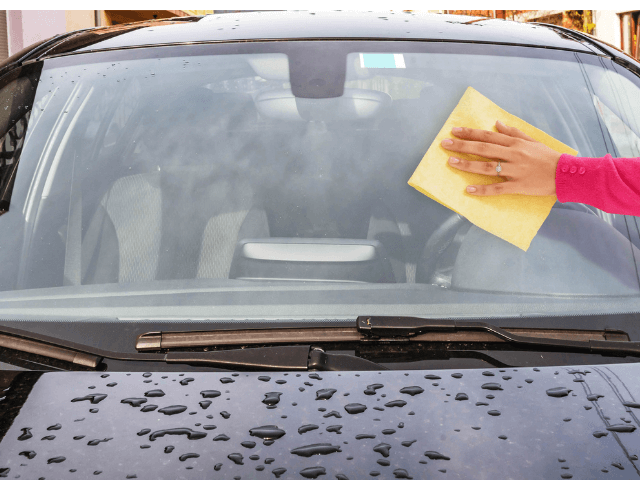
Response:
column 269, row 180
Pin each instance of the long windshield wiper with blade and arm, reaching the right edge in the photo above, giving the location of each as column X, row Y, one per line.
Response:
column 372, row 329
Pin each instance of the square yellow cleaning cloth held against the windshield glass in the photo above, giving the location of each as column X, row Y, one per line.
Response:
column 514, row 218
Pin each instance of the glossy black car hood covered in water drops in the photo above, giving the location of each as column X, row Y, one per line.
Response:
column 509, row 423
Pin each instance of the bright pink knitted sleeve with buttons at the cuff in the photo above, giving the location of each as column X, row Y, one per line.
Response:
column 610, row 184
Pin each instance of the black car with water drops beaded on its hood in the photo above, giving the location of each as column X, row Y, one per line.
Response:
column 206, row 225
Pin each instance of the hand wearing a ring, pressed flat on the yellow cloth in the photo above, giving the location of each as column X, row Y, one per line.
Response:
column 528, row 166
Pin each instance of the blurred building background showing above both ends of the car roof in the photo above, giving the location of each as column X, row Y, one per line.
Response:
column 21, row 28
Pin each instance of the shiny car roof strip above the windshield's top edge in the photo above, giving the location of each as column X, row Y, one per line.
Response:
column 289, row 25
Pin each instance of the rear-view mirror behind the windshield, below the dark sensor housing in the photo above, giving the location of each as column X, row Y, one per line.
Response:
column 354, row 104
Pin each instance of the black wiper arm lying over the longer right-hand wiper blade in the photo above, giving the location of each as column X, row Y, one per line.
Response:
column 392, row 327
